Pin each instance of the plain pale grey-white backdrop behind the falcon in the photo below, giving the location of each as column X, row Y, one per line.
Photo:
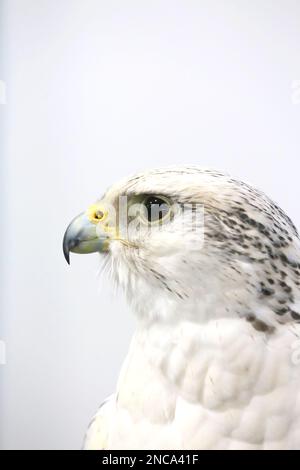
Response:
column 97, row 90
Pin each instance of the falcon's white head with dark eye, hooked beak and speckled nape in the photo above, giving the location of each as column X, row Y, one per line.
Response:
column 191, row 241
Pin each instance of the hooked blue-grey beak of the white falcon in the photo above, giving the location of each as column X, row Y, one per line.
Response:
column 84, row 236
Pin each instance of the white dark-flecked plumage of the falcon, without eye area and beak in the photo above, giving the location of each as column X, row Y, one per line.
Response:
column 211, row 363
